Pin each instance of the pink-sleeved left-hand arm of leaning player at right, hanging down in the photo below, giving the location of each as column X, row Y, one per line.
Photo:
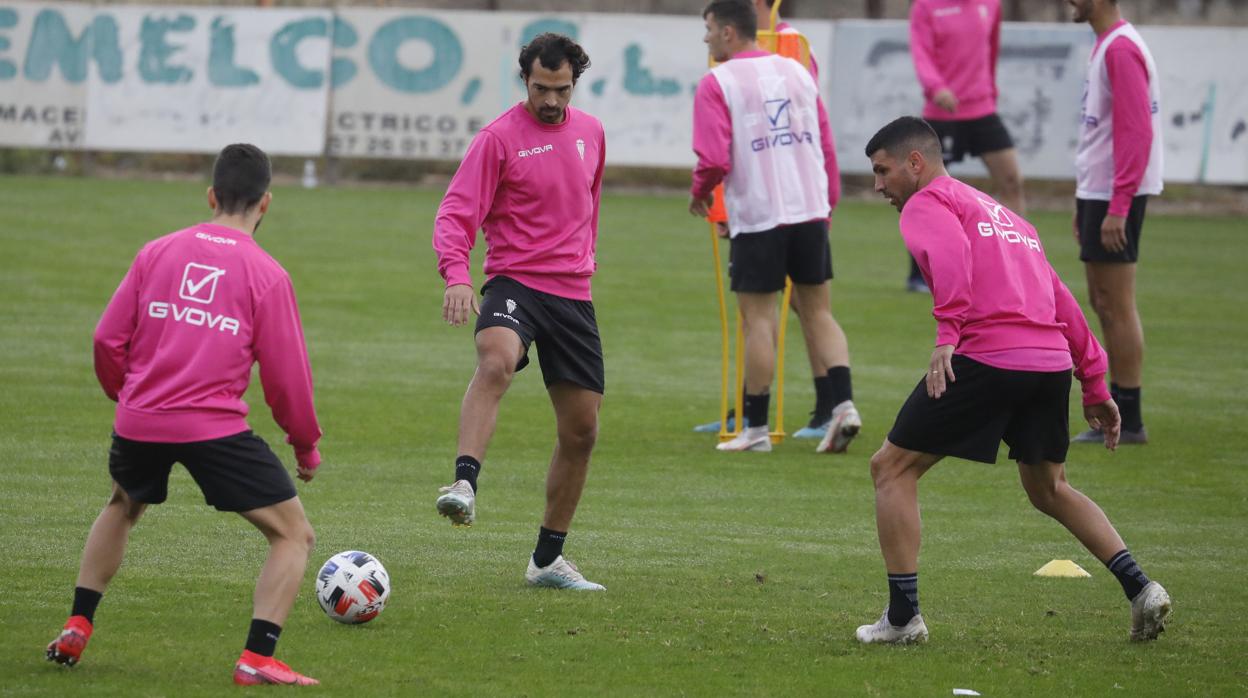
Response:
column 934, row 235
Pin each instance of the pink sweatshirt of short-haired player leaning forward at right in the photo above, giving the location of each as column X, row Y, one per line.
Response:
column 995, row 297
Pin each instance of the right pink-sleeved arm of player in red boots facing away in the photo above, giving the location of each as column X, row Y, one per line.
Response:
column 278, row 342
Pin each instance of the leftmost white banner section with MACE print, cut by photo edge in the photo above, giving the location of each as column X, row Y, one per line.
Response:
column 46, row 59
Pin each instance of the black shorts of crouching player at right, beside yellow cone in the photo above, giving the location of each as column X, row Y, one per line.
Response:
column 1029, row 410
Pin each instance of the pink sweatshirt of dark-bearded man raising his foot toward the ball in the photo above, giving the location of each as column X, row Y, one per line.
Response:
column 534, row 189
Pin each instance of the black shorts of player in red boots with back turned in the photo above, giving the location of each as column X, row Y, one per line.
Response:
column 236, row 474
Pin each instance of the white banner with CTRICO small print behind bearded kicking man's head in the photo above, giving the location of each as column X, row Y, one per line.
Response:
column 421, row 84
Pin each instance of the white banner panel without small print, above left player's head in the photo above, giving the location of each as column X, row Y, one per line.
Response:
column 198, row 79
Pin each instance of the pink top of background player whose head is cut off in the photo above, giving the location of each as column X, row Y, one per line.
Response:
column 955, row 46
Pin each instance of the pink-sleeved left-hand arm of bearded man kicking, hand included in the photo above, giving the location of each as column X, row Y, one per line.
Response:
column 461, row 214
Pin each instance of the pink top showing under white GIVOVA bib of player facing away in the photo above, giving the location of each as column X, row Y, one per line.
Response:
column 713, row 138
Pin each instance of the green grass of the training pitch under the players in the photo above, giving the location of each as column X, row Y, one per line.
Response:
column 727, row 575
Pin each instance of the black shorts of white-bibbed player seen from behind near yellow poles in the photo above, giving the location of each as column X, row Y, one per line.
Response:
column 761, row 262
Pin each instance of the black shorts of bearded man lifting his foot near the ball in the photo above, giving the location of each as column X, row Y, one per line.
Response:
column 565, row 330
